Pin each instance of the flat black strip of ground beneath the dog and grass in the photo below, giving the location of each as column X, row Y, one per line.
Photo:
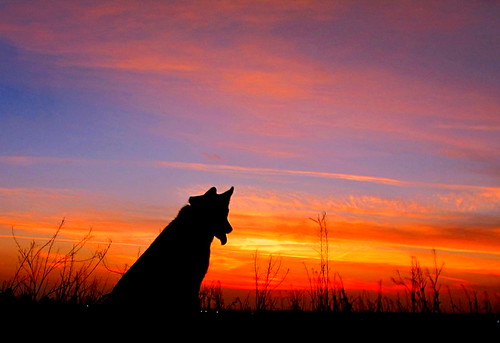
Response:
column 69, row 323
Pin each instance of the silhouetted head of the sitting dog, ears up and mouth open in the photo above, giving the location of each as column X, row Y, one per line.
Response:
column 213, row 210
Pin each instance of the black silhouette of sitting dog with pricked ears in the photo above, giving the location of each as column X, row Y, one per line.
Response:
column 168, row 275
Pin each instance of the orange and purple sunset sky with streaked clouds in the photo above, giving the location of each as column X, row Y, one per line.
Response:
column 383, row 114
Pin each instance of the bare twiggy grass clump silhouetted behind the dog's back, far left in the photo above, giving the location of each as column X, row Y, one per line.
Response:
column 45, row 273
